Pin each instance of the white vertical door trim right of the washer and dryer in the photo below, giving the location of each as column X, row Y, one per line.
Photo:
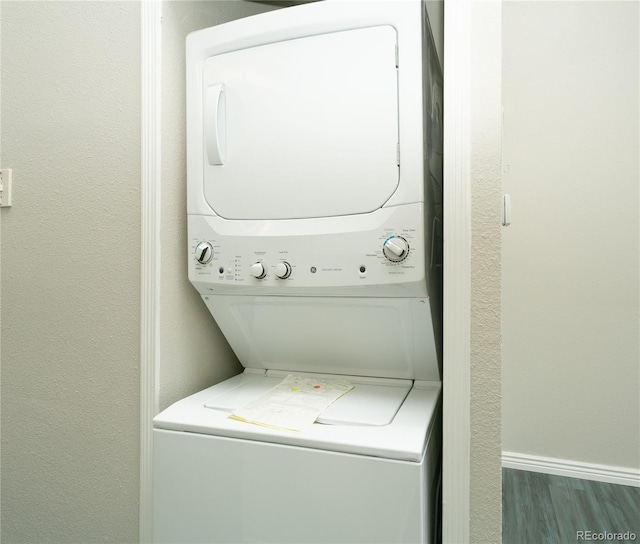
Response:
column 456, row 459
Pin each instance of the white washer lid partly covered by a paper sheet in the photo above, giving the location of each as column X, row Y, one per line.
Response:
column 372, row 401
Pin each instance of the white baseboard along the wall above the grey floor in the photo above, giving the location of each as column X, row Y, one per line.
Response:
column 572, row 469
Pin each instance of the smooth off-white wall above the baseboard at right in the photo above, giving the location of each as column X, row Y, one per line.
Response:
column 571, row 358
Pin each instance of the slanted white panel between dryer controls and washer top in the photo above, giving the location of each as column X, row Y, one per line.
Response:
column 384, row 337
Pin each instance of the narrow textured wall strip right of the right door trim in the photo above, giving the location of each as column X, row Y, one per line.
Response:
column 485, row 349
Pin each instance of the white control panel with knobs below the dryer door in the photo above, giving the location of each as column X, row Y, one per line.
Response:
column 270, row 256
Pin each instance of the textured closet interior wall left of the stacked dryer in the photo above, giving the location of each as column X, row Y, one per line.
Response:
column 193, row 352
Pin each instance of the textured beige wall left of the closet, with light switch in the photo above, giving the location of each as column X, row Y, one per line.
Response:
column 71, row 272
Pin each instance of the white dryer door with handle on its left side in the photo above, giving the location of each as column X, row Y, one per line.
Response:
column 302, row 128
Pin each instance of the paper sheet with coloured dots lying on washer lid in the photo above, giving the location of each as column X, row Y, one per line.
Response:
column 294, row 404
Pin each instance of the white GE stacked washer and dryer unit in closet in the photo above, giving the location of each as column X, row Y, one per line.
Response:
column 314, row 168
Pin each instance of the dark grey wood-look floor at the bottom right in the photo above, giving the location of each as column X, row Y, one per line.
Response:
column 545, row 509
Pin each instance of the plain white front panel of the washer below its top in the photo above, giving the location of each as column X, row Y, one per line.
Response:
column 220, row 490
